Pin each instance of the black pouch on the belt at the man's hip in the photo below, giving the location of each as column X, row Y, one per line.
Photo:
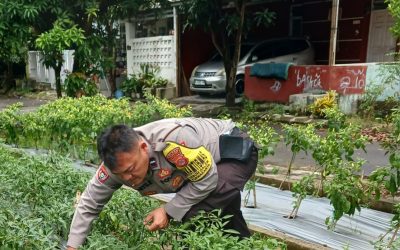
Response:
column 234, row 146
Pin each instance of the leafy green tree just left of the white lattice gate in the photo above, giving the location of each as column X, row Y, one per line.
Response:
column 100, row 20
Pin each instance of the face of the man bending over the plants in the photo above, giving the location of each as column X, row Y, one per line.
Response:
column 132, row 166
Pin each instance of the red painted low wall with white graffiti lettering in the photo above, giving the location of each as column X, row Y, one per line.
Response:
column 344, row 79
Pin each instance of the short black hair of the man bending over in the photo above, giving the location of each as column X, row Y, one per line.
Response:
column 113, row 140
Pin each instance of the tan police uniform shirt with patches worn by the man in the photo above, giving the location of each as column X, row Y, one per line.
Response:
column 182, row 159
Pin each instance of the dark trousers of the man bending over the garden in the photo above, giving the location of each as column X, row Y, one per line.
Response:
column 232, row 177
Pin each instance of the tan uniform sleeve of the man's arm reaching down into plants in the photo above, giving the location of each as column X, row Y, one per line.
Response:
column 97, row 193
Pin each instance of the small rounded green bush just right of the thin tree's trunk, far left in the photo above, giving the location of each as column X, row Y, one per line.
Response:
column 78, row 85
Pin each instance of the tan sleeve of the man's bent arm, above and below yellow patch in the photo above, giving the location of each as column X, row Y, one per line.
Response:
column 193, row 192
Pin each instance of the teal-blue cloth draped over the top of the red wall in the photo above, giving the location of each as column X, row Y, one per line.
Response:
column 270, row 70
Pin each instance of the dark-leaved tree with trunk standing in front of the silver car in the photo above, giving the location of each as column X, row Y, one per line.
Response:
column 227, row 21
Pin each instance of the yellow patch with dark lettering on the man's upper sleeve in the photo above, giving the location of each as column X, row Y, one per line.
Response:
column 195, row 162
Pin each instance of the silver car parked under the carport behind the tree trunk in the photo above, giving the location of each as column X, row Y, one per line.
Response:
column 210, row 78
